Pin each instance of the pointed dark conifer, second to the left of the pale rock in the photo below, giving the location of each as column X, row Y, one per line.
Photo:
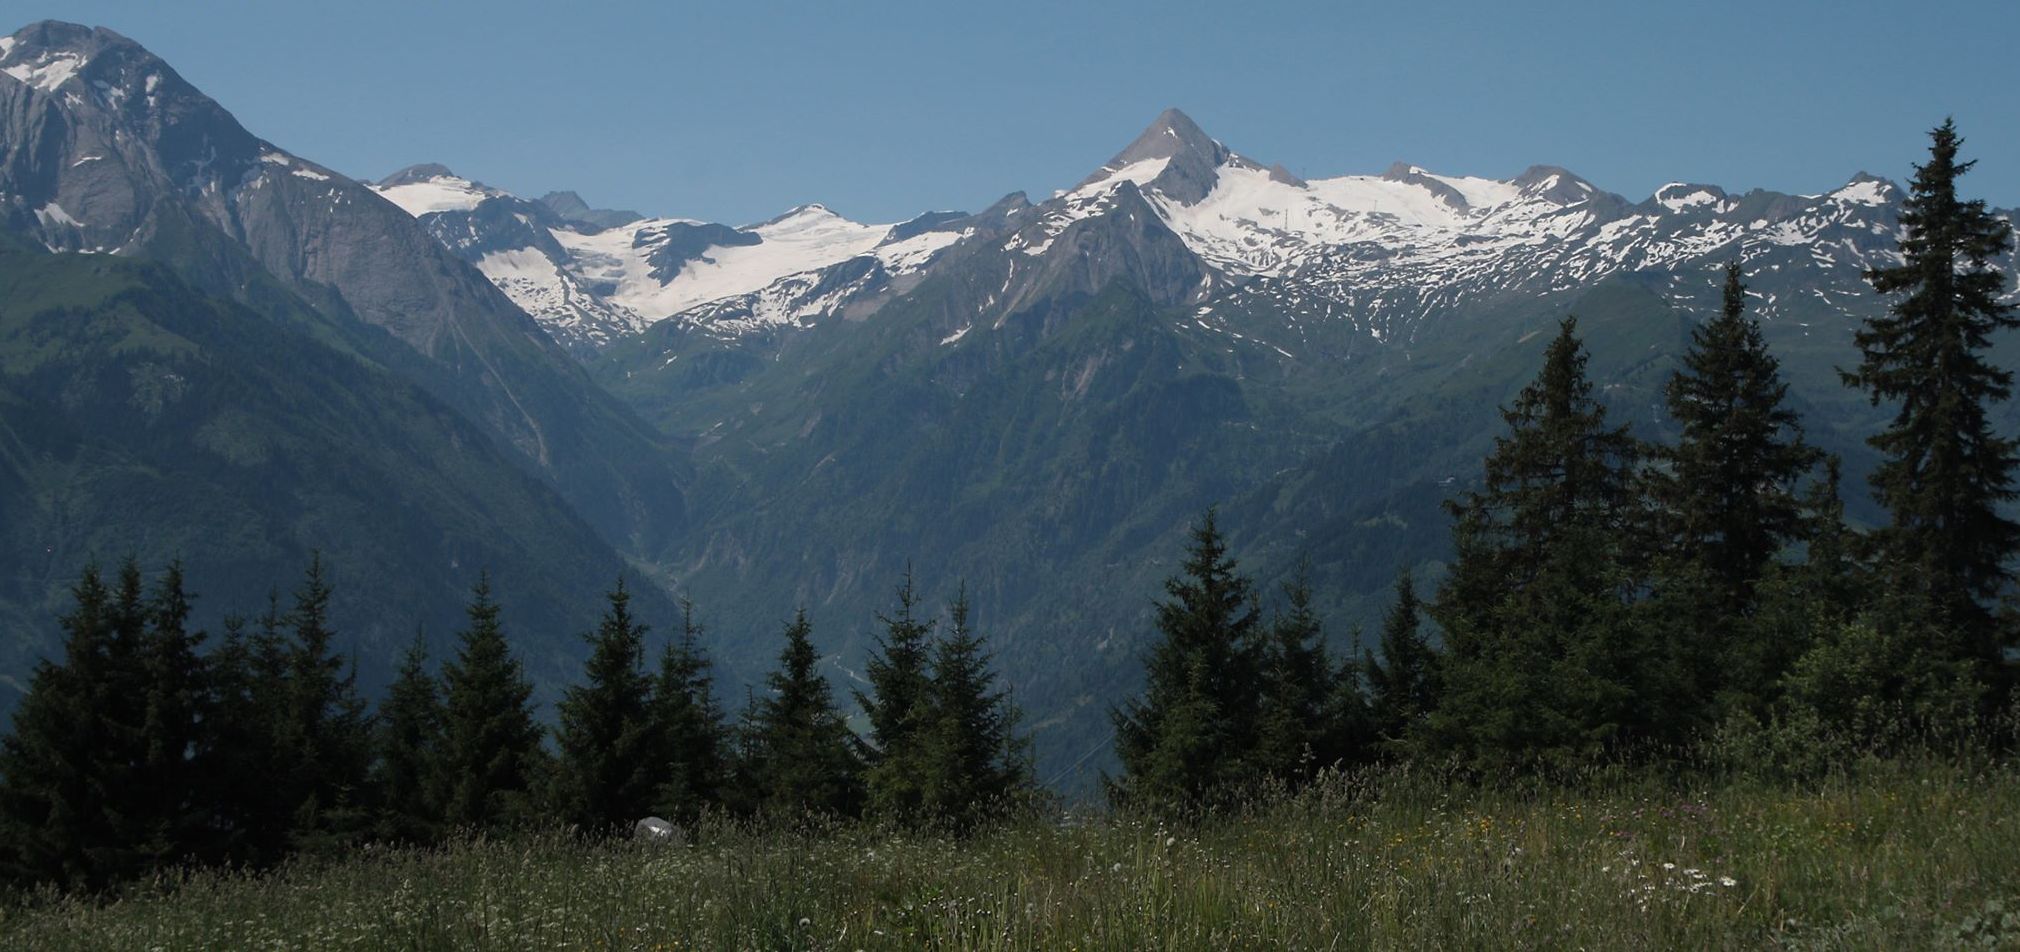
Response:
column 490, row 739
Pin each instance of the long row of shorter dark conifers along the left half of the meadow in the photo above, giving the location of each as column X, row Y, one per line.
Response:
column 144, row 749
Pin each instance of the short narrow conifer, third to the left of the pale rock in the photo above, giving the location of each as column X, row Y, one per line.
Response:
column 407, row 773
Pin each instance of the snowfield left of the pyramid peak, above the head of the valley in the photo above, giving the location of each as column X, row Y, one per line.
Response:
column 595, row 276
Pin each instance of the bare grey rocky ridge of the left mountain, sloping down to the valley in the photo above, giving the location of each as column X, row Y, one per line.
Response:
column 106, row 149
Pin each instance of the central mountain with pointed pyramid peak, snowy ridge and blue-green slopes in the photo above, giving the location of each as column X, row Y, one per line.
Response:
column 1070, row 387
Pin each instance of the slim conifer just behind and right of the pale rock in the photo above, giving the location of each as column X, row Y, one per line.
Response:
column 690, row 725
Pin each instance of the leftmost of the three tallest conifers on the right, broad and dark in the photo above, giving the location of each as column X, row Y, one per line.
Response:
column 1542, row 662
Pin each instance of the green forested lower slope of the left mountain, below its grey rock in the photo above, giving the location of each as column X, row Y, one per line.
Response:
column 144, row 417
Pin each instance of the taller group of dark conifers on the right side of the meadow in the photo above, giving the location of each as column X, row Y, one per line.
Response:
column 1613, row 599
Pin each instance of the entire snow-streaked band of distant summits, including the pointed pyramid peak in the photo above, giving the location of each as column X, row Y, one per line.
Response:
column 1189, row 221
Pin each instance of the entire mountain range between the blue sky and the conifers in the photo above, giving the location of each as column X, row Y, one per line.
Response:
column 1031, row 401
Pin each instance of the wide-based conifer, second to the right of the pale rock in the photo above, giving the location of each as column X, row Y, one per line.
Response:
column 801, row 757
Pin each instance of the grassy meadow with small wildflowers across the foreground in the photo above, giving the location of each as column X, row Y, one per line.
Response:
column 1894, row 856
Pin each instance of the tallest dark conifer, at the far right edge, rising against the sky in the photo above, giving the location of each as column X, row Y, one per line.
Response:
column 1944, row 472
